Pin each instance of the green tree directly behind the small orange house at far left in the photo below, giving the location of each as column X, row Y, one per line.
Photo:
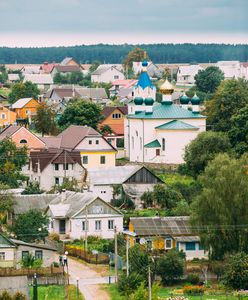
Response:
column 23, row 90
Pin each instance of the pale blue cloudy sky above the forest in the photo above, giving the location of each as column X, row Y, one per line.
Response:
column 38, row 23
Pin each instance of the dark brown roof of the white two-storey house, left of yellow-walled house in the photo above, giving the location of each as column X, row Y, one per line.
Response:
column 53, row 156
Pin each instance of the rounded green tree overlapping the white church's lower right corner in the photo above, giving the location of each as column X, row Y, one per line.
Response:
column 203, row 149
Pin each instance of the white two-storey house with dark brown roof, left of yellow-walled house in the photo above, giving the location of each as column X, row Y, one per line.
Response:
column 49, row 167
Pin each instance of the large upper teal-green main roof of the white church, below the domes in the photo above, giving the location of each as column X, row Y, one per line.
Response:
column 163, row 111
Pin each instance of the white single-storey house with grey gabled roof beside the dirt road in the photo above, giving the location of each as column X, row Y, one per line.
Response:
column 82, row 214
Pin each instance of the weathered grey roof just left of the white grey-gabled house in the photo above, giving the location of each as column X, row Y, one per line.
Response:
column 23, row 203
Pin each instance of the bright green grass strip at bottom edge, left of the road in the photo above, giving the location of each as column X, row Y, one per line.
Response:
column 56, row 292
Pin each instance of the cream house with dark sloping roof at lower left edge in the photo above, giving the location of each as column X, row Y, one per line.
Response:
column 12, row 252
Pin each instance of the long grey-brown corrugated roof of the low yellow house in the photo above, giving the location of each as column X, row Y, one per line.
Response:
column 150, row 226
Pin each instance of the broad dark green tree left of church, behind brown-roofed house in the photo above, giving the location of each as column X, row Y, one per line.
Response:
column 81, row 112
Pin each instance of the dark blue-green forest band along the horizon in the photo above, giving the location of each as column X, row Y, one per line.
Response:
column 159, row 53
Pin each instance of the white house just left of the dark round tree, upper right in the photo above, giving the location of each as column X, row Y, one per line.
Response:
column 186, row 74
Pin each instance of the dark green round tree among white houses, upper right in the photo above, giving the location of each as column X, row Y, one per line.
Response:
column 209, row 79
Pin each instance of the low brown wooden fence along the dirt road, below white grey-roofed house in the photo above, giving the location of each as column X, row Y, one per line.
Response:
column 100, row 258
